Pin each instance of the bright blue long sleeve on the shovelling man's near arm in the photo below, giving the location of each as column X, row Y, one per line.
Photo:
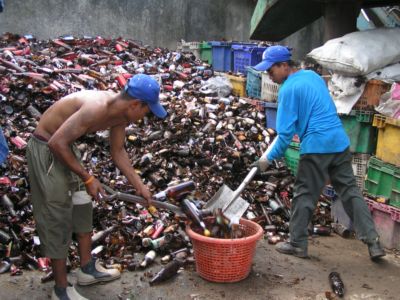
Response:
column 287, row 116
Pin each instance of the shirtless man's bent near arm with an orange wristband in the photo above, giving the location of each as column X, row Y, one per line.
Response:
column 60, row 145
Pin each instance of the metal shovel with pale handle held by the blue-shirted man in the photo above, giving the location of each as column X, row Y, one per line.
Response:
column 233, row 206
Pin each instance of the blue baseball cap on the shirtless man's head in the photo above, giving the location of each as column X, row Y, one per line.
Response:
column 145, row 88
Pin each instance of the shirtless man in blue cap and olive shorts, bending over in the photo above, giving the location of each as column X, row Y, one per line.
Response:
column 62, row 189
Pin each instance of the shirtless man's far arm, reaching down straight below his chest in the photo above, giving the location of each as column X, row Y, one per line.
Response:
column 122, row 161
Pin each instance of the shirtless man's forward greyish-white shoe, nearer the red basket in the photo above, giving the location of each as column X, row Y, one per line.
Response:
column 94, row 272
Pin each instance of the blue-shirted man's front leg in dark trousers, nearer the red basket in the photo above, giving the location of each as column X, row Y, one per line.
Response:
column 310, row 179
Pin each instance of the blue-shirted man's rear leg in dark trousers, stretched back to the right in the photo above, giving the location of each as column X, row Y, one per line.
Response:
column 343, row 180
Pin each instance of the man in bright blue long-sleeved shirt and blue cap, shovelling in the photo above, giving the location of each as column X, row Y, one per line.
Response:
column 305, row 108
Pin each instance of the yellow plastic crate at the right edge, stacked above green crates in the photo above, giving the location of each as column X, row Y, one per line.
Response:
column 388, row 146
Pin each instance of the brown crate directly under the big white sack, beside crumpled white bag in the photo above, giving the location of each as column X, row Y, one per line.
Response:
column 372, row 92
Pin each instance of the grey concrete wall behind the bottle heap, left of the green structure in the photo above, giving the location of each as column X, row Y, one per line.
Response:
column 155, row 22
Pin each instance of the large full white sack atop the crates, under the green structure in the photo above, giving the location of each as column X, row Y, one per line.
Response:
column 361, row 52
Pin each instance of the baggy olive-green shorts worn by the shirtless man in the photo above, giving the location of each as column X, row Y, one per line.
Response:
column 60, row 202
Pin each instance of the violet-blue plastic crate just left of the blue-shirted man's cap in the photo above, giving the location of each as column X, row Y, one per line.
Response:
column 244, row 56
